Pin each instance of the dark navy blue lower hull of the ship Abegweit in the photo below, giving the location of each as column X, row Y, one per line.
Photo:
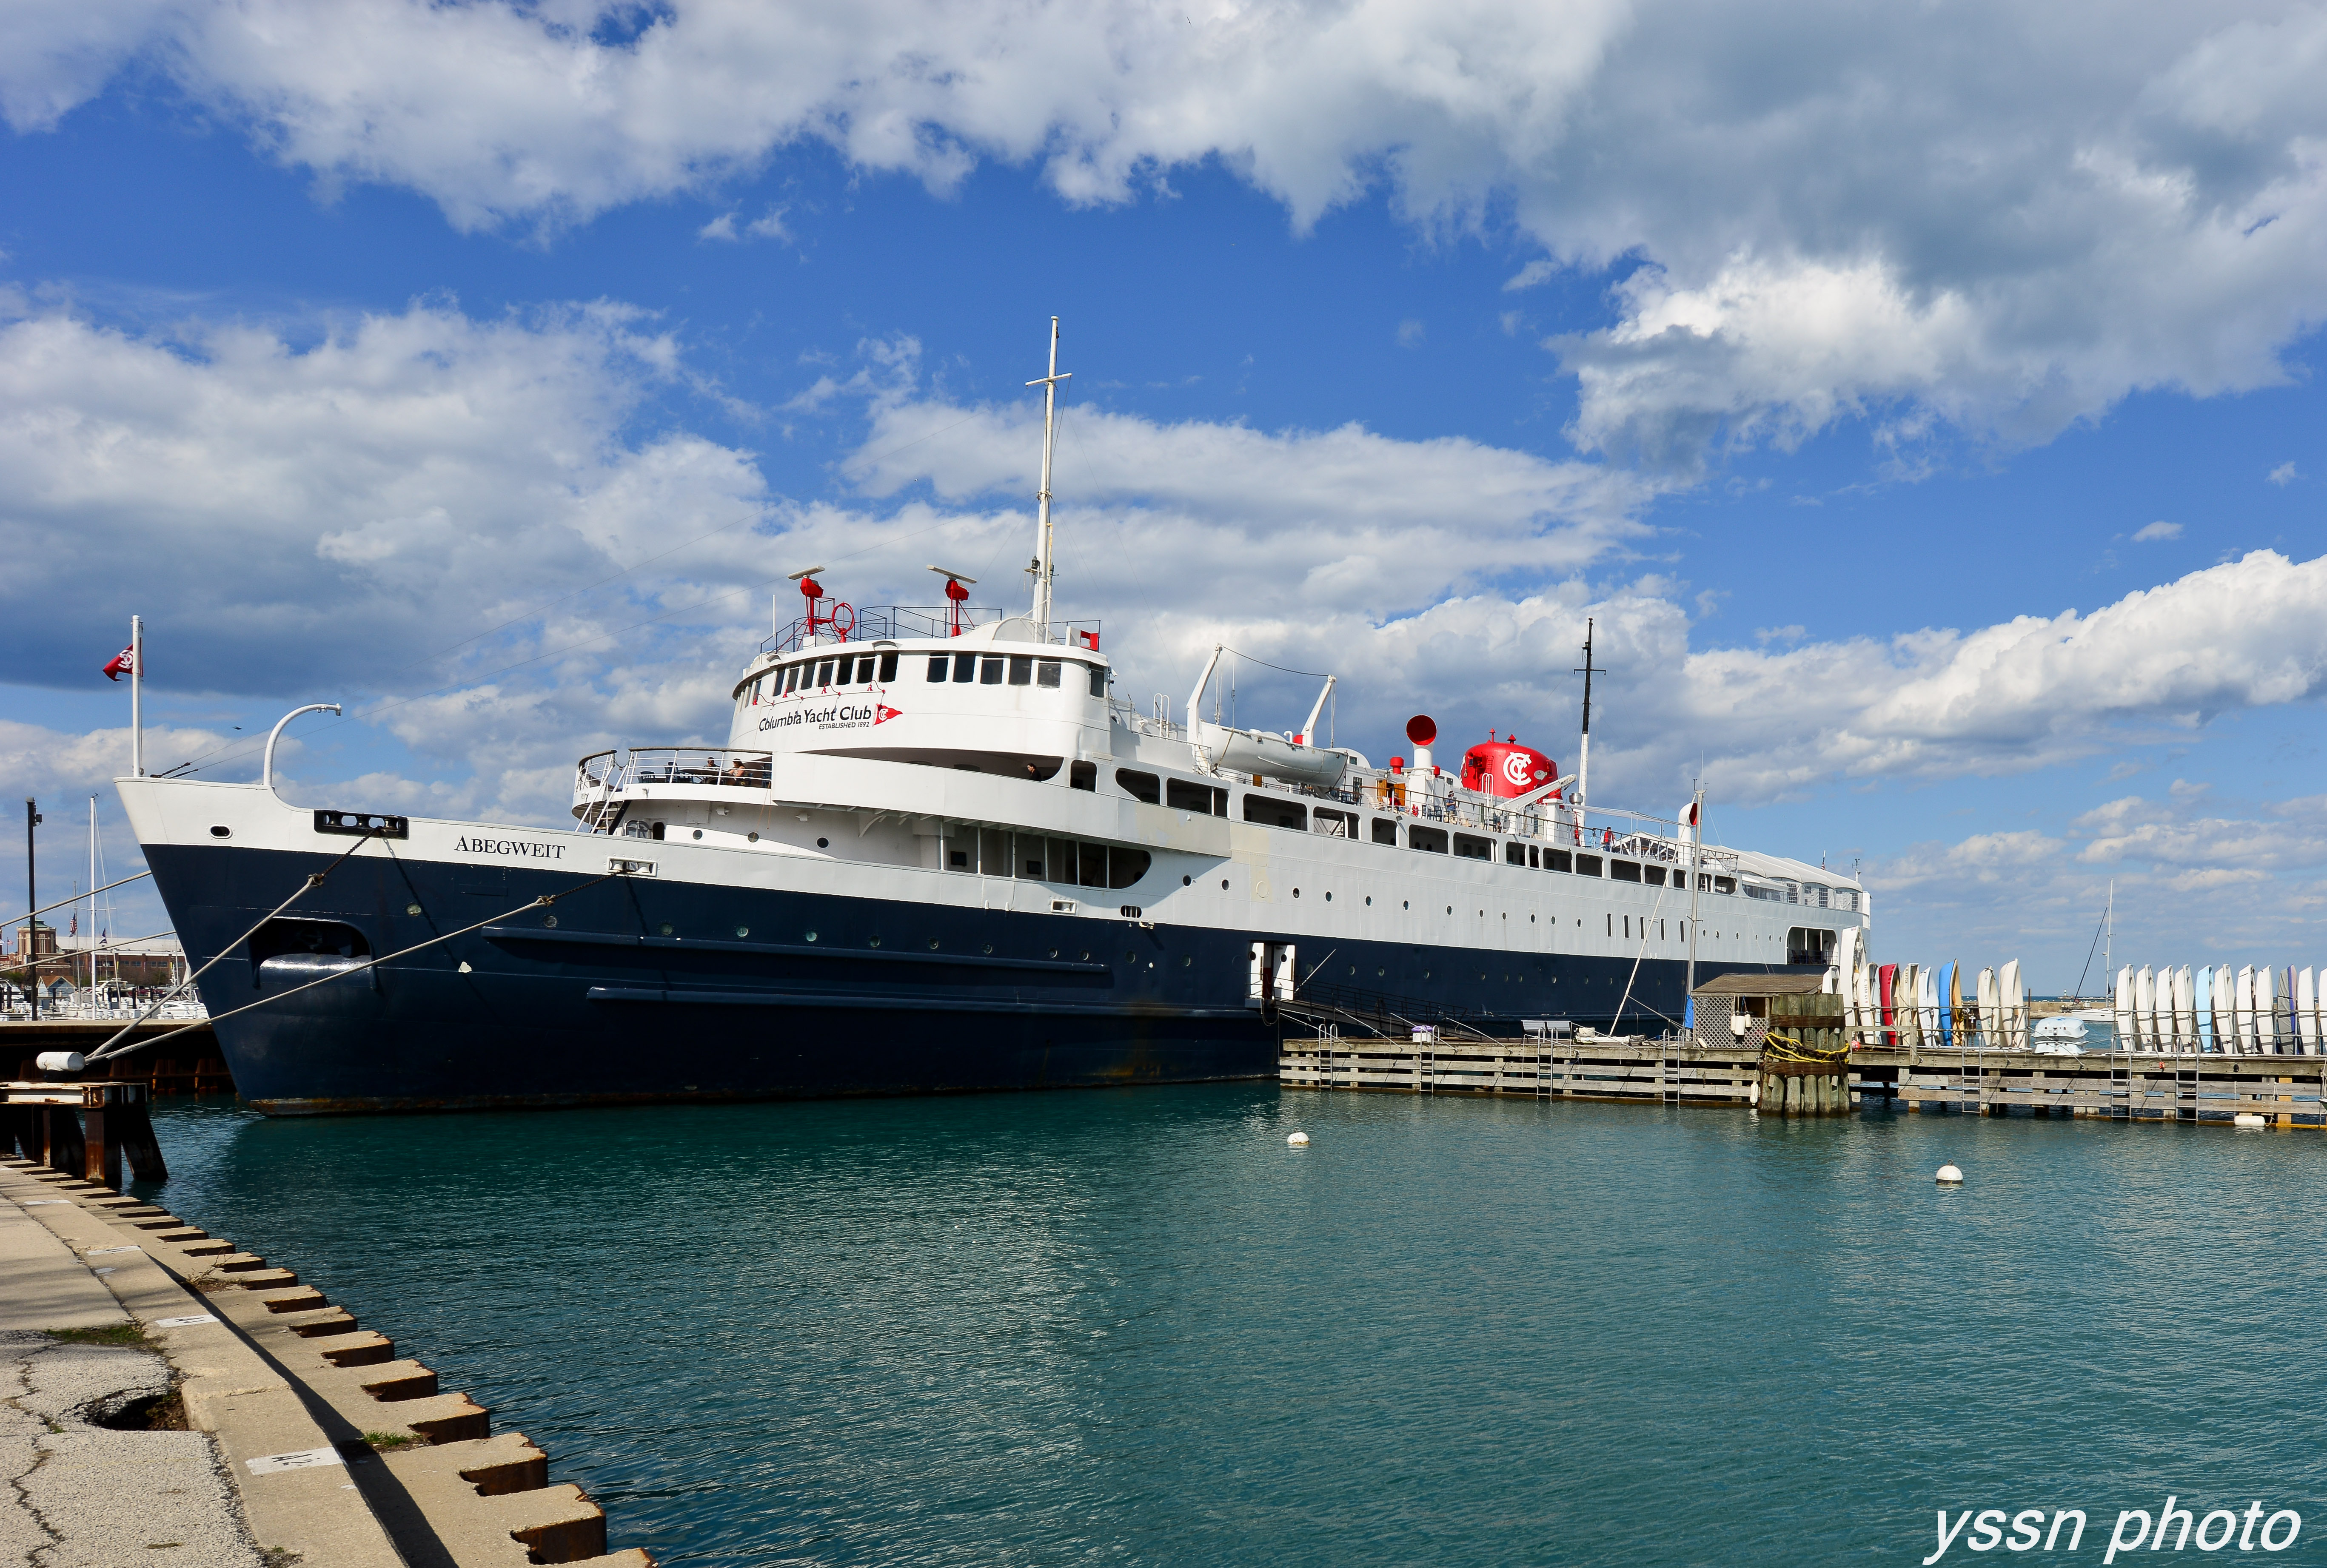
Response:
column 646, row 990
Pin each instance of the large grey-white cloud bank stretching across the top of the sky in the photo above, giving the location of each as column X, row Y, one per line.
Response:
column 1991, row 215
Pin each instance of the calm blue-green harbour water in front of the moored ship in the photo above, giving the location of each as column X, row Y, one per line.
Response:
column 1137, row 1327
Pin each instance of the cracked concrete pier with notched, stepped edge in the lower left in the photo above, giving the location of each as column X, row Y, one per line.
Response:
column 332, row 1448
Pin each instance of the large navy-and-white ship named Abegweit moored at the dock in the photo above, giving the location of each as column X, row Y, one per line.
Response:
column 941, row 853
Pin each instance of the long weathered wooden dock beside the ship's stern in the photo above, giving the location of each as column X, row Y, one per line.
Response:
column 2123, row 1088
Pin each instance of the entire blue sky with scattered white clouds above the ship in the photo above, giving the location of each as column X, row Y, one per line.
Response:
column 1823, row 359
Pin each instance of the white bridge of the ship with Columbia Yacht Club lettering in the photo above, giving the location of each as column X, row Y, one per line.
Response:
column 965, row 690
